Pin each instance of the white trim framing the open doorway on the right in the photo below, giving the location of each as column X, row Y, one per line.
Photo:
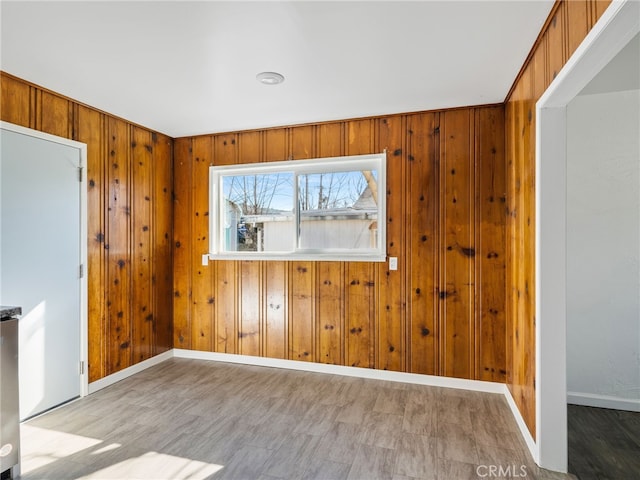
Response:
column 616, row 28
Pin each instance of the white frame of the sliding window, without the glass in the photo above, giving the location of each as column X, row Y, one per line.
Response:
column 376, row 162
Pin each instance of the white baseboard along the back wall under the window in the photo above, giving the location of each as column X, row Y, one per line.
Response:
column 447, row 382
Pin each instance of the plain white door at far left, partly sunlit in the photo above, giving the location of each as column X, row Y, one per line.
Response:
column 40, row 258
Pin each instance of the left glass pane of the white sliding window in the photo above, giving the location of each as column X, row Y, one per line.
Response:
column 258, row 213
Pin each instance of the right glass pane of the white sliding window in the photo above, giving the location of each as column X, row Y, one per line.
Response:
column 338, row 210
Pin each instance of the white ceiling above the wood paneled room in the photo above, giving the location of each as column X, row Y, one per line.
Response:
column 187, row 68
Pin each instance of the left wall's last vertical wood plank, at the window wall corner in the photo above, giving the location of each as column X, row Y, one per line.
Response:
column 162, row 233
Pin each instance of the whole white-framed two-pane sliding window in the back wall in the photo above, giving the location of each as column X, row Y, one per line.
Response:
column 322, row 209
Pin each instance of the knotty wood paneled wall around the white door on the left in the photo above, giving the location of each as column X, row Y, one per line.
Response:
column 130, row 223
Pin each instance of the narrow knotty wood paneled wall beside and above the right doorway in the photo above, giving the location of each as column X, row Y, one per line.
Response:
column 568, row 24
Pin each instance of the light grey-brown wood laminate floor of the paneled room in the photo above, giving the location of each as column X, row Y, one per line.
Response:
column 191, row 419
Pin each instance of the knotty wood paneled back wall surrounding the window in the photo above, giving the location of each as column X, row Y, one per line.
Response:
column 442, row 312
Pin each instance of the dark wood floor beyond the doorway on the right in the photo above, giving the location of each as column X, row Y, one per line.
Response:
column 603, row 444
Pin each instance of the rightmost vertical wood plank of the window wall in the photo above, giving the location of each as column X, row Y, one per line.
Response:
column 490, row 258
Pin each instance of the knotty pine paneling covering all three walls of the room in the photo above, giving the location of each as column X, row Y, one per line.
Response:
column 442, row 312
